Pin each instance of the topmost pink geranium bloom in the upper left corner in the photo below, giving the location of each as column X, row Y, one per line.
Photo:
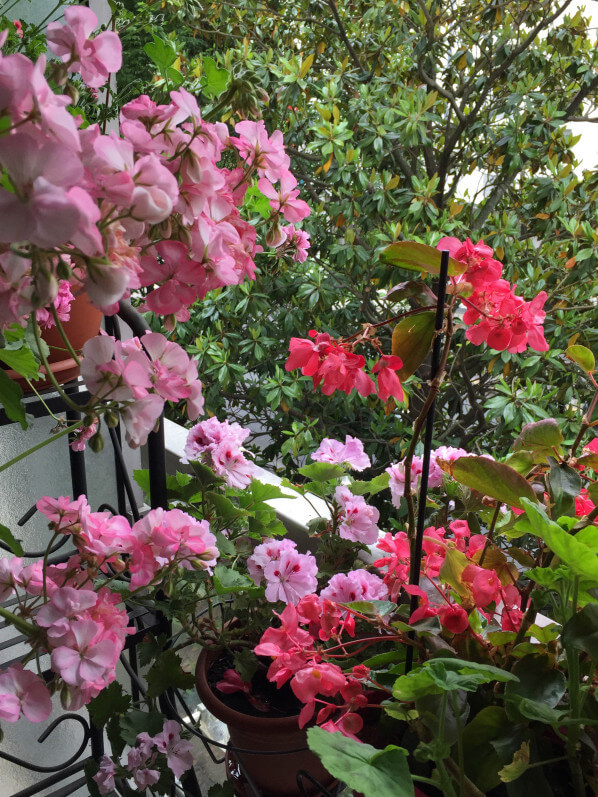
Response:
column 94, row 58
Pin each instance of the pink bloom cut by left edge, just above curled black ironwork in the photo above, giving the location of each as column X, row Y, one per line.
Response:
column 23, row 691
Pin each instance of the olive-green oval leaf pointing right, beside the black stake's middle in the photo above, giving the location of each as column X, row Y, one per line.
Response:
column 492, row 478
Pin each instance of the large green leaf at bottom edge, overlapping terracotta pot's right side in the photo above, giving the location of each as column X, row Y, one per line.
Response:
column 374, row 773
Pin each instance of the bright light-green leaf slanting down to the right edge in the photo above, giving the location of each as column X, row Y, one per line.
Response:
column 572, row 550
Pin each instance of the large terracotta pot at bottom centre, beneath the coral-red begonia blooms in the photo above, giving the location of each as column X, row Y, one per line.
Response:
column 273, row 775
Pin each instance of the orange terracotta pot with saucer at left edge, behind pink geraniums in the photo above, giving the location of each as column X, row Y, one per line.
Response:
column 84, row 323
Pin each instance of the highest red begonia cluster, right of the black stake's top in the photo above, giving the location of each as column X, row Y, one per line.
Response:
column 506, row 321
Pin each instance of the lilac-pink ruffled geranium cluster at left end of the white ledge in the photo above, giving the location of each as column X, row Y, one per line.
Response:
column 219, row 445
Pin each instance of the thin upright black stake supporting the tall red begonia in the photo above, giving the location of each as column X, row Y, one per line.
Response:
column 423, row 490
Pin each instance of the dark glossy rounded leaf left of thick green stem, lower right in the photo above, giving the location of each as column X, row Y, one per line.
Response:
column 537, row 681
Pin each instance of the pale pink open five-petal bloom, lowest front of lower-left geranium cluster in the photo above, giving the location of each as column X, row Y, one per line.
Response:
column 87, row 660
